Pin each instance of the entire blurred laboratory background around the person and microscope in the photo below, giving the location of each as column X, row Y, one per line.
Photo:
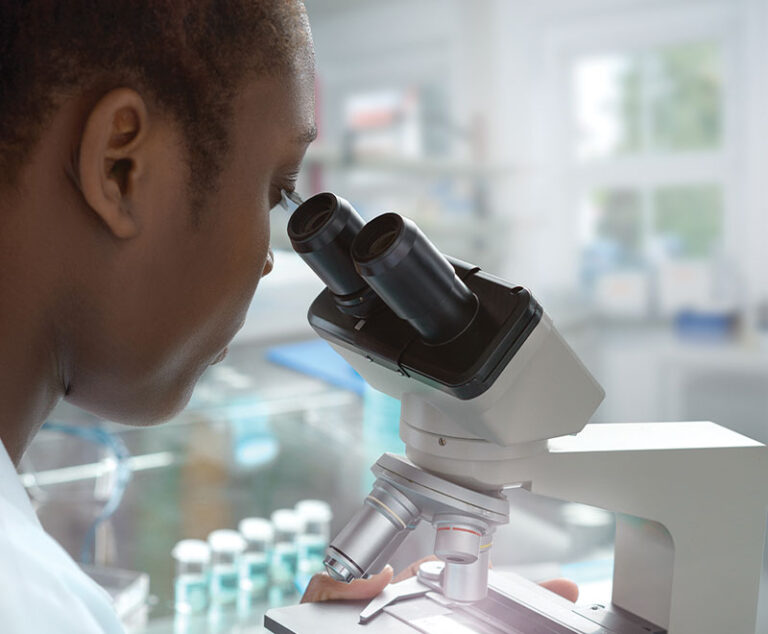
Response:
column 610, row 155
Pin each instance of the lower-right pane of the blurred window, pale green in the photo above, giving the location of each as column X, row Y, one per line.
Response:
column 688, row 219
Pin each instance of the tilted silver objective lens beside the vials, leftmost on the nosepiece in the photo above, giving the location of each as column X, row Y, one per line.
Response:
column 364, row 545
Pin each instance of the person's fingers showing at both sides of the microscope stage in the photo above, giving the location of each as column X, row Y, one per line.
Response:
column 323, row 587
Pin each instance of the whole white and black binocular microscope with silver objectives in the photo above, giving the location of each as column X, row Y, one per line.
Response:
column 493, row 397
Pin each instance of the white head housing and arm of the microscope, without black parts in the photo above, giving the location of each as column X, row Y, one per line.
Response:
column 691, row 498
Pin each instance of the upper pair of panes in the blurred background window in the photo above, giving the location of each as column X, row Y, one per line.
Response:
column 667, row 99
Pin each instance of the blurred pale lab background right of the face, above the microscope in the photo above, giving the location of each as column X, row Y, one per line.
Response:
column 609, row 155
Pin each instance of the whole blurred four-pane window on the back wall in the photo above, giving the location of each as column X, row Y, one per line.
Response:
column 646, row 146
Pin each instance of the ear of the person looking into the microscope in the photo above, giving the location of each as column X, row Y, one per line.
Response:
column 111, row 159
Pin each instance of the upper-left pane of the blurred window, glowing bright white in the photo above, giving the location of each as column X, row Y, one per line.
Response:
column 608, row 106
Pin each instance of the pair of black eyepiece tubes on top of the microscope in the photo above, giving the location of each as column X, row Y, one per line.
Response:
column 389, row 259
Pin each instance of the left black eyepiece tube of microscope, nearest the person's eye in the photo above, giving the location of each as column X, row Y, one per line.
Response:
column 321, row 231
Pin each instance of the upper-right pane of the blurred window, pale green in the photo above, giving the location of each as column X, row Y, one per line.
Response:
column 686, row 85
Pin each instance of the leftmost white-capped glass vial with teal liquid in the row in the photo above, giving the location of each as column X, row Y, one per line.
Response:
column 190, row 587
